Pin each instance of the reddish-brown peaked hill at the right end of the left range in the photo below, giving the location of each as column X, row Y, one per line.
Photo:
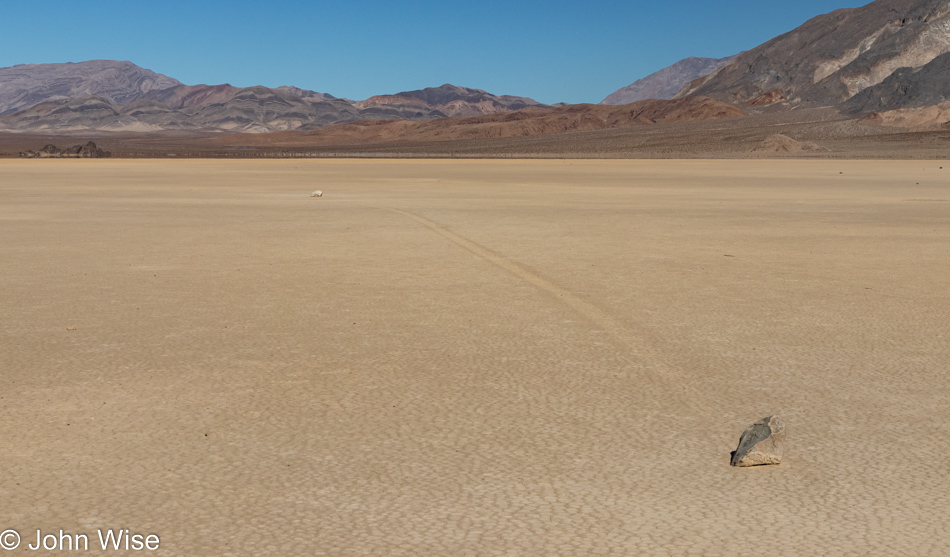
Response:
column 439, row 102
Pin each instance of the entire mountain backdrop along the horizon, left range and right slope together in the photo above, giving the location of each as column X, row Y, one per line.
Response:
column 886, row 56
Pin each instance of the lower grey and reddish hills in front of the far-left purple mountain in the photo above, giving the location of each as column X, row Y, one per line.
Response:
column 250, row 109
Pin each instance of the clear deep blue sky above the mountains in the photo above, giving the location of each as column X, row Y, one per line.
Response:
column 551, row 51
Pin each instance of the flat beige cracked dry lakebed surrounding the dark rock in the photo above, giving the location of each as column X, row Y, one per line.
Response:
column 476, row 358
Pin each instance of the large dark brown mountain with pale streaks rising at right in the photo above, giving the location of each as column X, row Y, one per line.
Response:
column 833, row 57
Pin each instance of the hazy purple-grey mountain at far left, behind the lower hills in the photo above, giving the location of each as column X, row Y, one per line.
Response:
column 117, row 82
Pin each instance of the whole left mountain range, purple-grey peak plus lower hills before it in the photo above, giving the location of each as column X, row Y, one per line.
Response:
column 115, row 96
